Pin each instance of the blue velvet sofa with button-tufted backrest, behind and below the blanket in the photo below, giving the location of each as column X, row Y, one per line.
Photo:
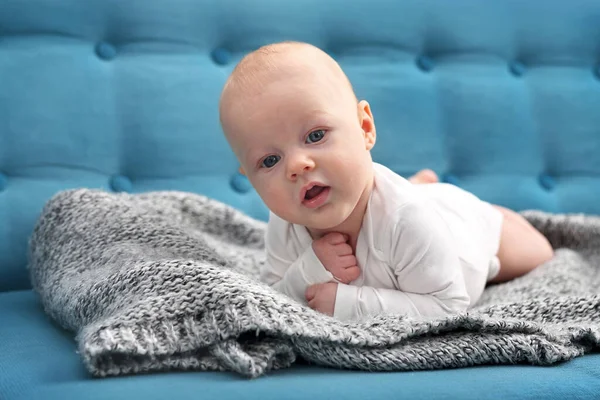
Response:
column 500, row 97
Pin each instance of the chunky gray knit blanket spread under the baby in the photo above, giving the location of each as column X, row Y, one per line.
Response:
column 169, row 281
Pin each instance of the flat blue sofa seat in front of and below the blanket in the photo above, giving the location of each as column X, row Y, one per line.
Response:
column 39, row 361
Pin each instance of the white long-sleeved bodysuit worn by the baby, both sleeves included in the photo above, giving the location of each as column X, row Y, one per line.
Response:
column 424, row 251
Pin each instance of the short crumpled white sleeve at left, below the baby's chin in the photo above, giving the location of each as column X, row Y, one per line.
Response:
column 287, row 270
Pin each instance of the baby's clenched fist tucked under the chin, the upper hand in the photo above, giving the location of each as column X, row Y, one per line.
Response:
column 336, row 256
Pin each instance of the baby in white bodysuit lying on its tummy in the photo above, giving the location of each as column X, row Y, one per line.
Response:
column 347, row 236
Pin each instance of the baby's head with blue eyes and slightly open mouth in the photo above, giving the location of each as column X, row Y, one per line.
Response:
column 293, row 121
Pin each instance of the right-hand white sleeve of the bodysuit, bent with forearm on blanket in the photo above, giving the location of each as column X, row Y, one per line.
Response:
column 427, row 269
